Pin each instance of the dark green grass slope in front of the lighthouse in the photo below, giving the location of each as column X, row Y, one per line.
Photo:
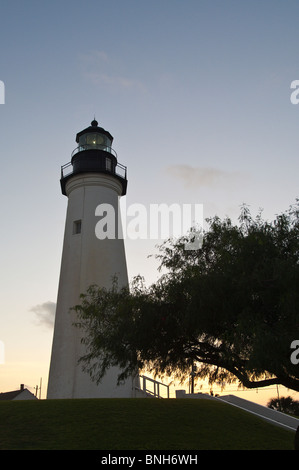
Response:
column 135, row 424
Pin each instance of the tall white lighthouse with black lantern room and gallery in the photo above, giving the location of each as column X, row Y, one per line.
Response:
column 92, row 177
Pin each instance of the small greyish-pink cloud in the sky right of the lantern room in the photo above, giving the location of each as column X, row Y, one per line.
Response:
column 201, row 176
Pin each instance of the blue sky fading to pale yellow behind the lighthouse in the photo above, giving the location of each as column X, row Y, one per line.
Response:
column 197, row 95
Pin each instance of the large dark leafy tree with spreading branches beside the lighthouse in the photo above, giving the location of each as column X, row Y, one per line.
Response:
column 231, row 307
